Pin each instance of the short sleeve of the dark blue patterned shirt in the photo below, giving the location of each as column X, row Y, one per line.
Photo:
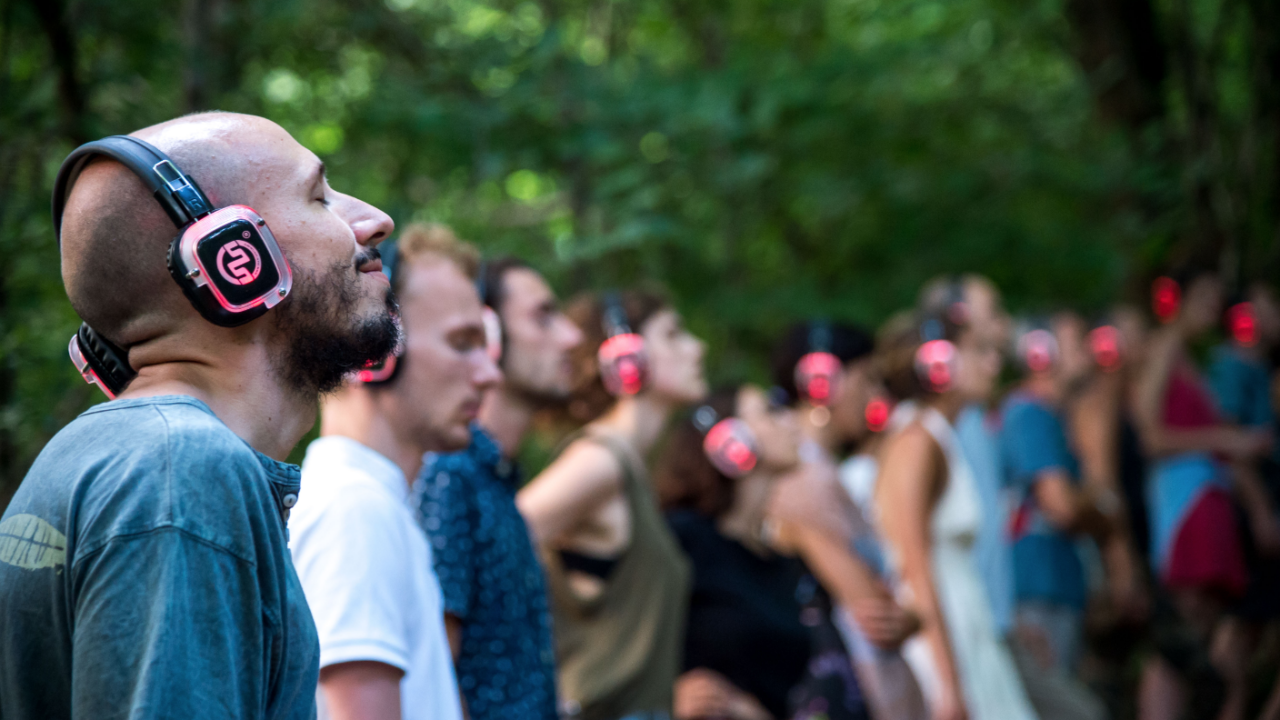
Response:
column 450, row 523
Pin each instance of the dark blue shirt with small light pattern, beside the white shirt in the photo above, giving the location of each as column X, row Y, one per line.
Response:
column 492, row 582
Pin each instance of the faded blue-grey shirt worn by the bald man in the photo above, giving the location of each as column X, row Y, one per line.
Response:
column 145, row 573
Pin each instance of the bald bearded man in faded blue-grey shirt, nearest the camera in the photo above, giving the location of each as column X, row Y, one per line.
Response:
column 144, row 562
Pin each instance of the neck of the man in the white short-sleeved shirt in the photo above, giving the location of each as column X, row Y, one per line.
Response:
column 358, row 413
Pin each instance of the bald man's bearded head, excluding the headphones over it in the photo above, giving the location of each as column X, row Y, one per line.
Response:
column 116, row 238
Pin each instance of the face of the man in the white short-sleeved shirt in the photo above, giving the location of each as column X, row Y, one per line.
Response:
column 446, row 368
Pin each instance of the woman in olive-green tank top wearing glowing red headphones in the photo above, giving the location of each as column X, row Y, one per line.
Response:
column 619, row 582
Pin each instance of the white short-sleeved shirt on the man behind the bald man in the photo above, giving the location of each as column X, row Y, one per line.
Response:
column 367, row 571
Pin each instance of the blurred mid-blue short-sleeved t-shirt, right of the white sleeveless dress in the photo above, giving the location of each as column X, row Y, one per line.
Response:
column 1046, row 564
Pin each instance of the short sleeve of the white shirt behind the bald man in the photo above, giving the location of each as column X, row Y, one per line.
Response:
column 346, row 558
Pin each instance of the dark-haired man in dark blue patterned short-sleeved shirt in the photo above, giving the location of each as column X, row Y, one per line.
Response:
column 495, row 591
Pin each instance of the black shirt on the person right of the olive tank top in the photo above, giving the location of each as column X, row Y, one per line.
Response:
column 744, row 617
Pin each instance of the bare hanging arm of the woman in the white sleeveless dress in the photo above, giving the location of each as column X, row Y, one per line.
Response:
column 908, row 490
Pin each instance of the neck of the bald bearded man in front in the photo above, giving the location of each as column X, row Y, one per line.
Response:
column 236, row 381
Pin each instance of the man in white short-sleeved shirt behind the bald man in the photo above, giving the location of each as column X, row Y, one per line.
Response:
column 362, row 557
